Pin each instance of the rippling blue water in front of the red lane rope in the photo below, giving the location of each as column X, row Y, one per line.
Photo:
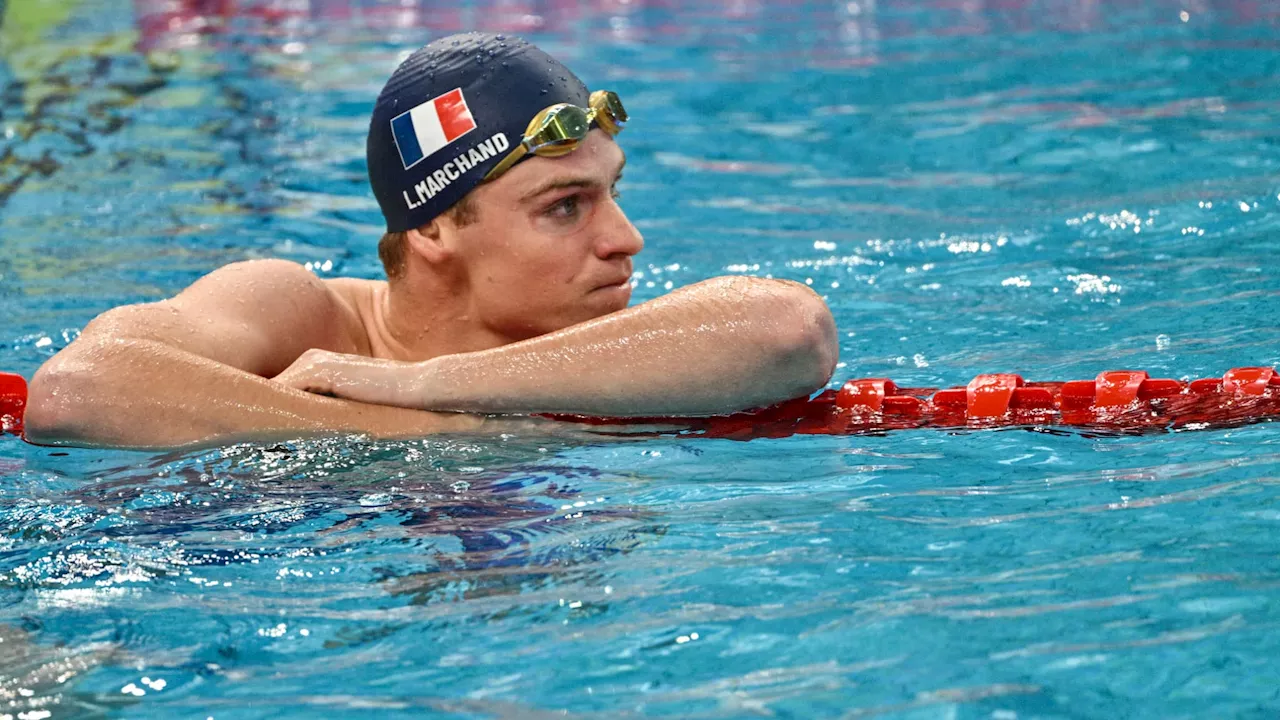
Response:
column 447, row 575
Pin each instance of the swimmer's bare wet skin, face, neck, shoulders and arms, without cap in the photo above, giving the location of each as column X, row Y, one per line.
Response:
column 523, row 311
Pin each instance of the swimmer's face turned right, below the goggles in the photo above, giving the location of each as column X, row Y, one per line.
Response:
column 551, row 247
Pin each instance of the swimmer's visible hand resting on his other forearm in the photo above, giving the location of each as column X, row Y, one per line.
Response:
column 351, row 377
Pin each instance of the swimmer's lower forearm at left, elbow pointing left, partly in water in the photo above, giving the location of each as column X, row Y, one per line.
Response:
column 147, row 395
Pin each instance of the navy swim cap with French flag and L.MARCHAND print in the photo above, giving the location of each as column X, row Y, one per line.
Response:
column 450, row 113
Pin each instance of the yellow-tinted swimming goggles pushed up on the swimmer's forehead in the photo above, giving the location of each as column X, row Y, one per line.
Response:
column 561, row 129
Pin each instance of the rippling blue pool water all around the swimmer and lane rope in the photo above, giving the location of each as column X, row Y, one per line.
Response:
column 1045, row 188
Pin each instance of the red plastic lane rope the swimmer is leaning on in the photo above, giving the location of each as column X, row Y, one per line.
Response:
column 1117, row 400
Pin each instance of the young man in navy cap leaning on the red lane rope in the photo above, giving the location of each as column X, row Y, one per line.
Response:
column 509, row 267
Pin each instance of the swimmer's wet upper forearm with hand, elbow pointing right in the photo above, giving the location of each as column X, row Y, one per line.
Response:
column 717, row 347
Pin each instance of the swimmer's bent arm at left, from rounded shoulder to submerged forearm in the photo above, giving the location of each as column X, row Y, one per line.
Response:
column 189, row 371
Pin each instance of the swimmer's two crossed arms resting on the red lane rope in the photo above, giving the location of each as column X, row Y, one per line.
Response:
column 198, row 370
